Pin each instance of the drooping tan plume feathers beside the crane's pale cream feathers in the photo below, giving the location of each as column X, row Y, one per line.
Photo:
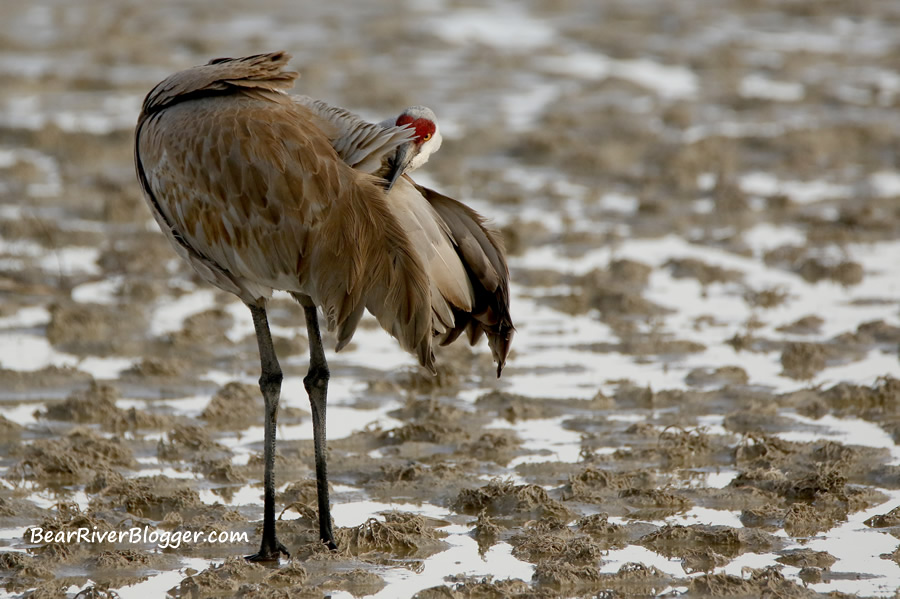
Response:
column 368, row 262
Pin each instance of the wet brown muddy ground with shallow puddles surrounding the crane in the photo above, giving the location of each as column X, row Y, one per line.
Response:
column 127, row 395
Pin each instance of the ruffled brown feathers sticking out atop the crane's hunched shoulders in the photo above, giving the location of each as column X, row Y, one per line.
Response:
column 221, row 75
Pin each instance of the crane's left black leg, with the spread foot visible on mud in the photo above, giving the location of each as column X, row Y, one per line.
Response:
column 270, row 385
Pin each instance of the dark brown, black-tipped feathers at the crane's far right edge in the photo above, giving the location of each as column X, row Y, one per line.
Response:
column 481, row 251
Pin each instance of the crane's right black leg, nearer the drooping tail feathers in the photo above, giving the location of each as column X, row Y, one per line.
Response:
column 316, row 383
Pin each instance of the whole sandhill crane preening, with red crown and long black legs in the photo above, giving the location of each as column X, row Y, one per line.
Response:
column 261, row 191
